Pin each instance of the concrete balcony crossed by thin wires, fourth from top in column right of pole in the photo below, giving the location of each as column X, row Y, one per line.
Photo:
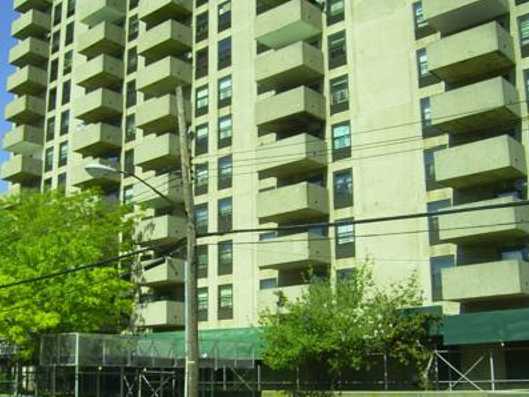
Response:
column 296, row 155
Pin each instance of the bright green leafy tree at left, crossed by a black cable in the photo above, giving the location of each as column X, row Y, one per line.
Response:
column 50, row 232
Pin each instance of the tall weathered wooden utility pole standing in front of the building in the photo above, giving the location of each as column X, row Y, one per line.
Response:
column 191, row 304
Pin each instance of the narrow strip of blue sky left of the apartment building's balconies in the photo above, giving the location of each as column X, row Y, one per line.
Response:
column 7, row 15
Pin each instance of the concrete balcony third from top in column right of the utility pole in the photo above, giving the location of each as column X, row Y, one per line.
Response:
column 295, row 109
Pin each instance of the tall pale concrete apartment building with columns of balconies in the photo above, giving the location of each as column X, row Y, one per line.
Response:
column 302, row 111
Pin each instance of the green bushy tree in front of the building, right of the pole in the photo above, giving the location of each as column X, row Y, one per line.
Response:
column 343, row 327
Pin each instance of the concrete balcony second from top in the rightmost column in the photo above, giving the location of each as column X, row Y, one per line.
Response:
column 454, row 60
